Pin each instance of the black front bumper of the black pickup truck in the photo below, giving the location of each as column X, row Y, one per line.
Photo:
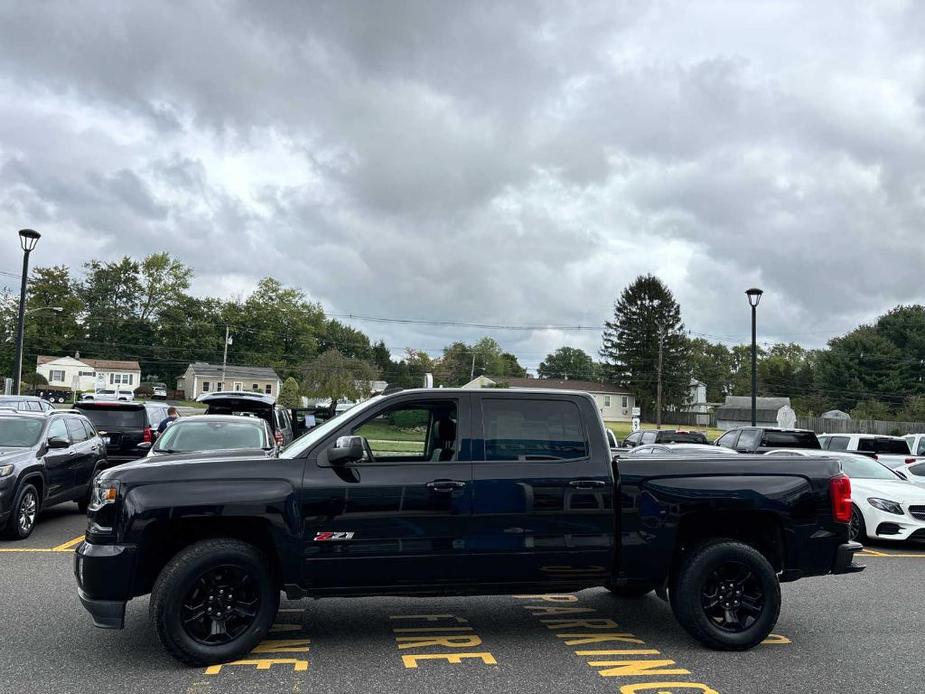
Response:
column 104, row 581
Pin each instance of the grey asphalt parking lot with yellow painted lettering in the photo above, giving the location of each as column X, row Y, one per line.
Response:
column 837, row 634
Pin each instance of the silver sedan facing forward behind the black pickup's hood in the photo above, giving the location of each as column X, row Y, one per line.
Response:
column 216, row 433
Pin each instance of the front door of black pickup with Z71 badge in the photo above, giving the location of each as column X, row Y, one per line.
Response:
column 397, row 520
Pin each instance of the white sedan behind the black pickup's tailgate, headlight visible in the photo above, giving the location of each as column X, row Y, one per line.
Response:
column 886, row 505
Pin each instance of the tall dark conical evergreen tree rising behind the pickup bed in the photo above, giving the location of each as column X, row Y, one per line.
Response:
column 645, row 316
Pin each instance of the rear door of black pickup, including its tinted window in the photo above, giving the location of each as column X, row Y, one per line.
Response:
column 542, row 511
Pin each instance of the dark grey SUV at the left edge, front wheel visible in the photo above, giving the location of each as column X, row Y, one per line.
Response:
column 45, row 459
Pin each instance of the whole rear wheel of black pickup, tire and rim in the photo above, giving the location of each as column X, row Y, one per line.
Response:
column 706, row 597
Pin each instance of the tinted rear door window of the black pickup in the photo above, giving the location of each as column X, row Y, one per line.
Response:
column 526, row 430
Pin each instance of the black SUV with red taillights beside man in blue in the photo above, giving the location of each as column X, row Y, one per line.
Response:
column 127, row 428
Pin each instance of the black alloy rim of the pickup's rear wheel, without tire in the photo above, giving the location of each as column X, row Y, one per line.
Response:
column 732, row 598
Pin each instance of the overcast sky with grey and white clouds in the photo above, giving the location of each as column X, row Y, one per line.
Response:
column 513, row 163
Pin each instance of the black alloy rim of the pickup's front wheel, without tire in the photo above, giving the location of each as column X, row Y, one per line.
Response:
column 222, row 604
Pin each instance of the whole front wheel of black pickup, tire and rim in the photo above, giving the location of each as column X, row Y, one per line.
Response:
column 204, row 569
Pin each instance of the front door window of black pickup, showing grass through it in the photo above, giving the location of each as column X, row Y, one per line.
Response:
column 413, row 432
